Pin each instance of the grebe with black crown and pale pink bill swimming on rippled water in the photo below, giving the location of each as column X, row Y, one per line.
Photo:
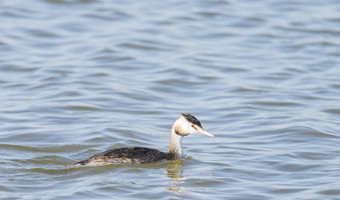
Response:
column 183, row 126
